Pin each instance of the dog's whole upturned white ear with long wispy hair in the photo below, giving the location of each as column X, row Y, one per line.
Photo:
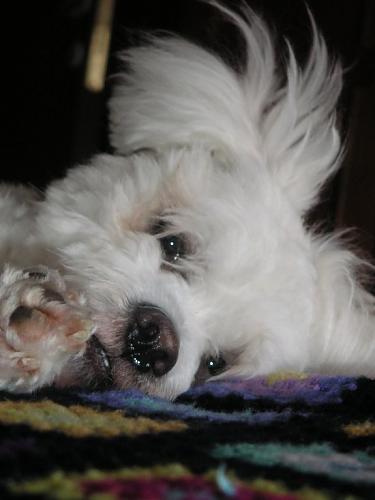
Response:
column 175, row 93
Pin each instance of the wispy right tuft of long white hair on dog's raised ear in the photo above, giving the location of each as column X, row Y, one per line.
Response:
column 301, row 138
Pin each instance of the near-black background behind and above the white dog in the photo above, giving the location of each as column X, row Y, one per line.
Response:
column 52, row 122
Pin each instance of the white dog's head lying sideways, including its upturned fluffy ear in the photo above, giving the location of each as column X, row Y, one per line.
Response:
column 190, row 243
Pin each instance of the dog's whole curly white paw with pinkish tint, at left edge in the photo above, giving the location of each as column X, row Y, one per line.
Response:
column 42, row 326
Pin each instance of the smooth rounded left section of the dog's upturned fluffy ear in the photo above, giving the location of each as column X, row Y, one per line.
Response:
column 174, row 93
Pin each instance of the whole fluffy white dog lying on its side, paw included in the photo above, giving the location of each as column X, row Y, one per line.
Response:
column 185, row 255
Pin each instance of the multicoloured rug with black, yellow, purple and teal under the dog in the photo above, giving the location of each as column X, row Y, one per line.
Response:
column 282, row 437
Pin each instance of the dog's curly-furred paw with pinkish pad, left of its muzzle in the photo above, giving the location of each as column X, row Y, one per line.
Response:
column 46, row 330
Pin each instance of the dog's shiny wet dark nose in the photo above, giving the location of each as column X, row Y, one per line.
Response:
column 151, row 340
